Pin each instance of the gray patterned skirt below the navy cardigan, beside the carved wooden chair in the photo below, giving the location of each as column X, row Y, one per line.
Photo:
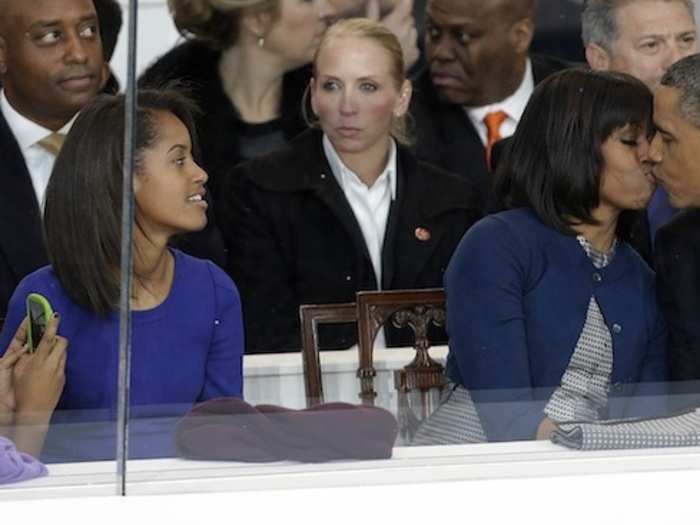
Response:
column 455, row 421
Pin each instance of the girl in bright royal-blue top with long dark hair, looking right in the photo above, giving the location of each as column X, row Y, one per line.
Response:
column 184, row 350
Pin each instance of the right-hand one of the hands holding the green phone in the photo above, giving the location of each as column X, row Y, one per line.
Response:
column 39, row 377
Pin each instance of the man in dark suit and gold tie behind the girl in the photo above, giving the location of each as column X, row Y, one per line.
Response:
column 51, row 65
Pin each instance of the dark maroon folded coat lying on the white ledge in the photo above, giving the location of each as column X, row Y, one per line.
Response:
column 231, row 429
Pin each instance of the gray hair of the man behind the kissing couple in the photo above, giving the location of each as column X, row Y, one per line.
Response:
column 599, row 20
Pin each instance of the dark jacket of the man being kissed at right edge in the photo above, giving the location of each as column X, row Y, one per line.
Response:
column 677, row 261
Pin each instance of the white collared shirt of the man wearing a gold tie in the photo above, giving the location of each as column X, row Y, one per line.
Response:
column 28, row 133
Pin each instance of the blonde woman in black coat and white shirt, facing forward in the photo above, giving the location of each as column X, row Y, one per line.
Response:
column 345, row 207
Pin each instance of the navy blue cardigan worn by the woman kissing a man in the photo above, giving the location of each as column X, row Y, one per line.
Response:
column 517, row 298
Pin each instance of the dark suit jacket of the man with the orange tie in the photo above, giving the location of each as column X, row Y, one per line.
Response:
column 447, row 138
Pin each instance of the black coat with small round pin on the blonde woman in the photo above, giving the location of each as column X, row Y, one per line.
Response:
column 293, row 238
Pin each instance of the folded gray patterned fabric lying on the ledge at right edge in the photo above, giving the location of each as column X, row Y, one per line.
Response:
column 676, row 431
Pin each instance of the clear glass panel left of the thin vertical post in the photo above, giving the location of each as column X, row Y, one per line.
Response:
column 58, row 385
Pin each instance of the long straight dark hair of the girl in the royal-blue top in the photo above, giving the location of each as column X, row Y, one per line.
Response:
column 83, row 212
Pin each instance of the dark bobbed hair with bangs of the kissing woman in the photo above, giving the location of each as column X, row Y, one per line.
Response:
column 554, row 160
